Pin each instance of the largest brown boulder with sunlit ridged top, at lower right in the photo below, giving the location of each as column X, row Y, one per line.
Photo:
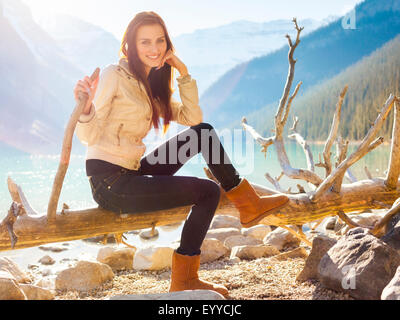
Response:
column 359, row 264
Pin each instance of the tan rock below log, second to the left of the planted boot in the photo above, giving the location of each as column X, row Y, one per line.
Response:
column 117, row 258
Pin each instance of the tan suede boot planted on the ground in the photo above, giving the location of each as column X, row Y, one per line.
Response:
column 184, row 275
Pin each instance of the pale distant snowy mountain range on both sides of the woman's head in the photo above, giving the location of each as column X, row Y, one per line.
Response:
column 208, row 53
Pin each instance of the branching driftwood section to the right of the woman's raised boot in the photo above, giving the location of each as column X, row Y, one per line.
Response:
column 329, row 196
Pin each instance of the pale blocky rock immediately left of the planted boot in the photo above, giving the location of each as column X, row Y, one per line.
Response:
column 153, row 258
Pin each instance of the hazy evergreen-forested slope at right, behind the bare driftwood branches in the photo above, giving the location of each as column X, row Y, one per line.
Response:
column 370, row 82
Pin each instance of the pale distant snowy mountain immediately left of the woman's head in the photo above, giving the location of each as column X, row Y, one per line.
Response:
column 86, row 45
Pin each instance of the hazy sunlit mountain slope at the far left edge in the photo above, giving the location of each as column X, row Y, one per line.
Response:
column 36, row 86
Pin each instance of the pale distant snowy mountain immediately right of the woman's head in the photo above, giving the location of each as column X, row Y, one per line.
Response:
column 209, row 53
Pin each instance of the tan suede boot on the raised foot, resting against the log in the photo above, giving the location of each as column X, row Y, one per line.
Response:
column 251, row 206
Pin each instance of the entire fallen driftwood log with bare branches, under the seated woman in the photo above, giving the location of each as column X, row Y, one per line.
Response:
column 329, row 196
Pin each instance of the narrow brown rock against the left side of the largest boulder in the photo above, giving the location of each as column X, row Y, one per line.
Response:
column 320, row 246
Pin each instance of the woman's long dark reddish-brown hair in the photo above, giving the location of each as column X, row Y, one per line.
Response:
column 158, row 84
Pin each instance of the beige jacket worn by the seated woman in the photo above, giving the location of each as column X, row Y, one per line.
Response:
column 121, row 117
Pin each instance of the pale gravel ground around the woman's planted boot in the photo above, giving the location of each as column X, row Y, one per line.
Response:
column 261, row 279
